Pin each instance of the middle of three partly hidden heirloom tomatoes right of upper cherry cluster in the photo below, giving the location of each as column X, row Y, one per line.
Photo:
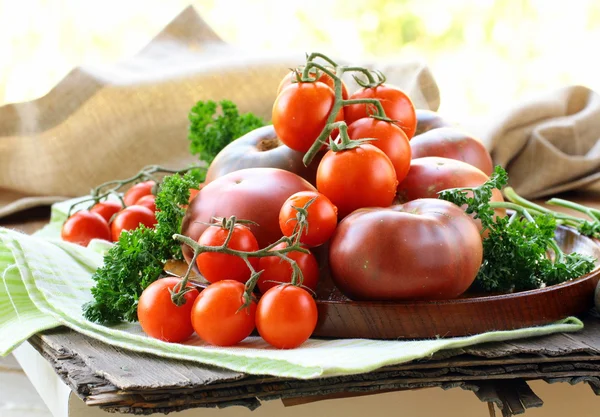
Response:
column 452, row 143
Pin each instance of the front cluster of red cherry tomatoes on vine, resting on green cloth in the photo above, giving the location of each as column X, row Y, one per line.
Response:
column 224, row 314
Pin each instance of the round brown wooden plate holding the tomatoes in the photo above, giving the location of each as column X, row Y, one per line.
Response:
column 342, row 318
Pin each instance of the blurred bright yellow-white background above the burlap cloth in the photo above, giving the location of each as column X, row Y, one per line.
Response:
column 484, row 54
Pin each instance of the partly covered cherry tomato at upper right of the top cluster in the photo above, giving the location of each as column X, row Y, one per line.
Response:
column 396, row 104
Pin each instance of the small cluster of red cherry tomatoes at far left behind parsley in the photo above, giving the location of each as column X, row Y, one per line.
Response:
column 106, row 220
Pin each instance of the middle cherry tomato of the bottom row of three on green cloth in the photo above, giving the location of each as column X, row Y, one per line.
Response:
column 217, row 317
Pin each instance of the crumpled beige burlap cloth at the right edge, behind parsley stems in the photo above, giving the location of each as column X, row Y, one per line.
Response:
column 549, row 144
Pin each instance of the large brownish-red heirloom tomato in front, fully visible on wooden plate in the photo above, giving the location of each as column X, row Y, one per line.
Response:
column 427, row 249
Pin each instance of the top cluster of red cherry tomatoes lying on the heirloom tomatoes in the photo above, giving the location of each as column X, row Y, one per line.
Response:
column 369, row 171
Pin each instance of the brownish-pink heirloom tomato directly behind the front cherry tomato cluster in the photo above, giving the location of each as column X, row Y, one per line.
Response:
column 255, row 194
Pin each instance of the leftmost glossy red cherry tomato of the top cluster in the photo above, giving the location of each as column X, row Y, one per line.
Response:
column 300, row 113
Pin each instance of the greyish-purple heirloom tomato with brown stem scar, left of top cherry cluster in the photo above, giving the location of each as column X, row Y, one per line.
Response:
column 261, row 148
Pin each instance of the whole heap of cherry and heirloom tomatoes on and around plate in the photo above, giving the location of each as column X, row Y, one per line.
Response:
column 373, row 205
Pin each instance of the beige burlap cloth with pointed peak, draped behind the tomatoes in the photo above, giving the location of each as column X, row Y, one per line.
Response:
column 100, row 124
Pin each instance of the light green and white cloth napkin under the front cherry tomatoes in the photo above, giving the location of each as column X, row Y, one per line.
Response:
column 45, row 281
